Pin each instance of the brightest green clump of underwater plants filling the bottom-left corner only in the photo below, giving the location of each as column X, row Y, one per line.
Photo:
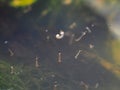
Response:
column 9, row 81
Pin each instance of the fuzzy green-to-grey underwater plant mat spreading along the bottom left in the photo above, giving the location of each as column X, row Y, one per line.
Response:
column 31, row 78
